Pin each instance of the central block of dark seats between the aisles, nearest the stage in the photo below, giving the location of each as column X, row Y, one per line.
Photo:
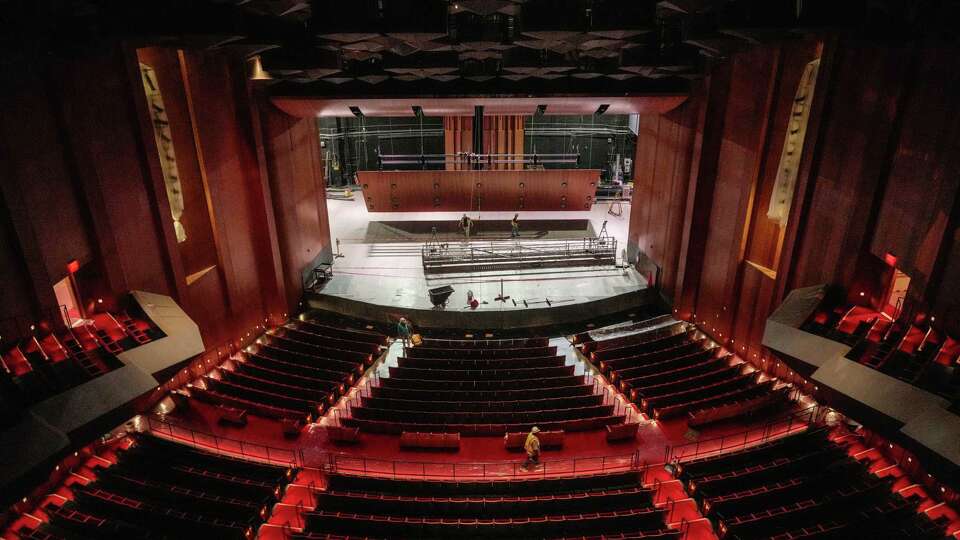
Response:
column 481, row 387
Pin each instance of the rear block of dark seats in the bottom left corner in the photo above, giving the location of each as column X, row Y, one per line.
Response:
column 159, row 488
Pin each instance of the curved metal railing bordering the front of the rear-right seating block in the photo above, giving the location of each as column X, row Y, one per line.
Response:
column 772, row 429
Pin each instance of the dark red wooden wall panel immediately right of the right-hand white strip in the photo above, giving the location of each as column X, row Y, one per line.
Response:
column 859, row 130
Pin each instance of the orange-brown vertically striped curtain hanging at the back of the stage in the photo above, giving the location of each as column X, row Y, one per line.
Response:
column 502, row 134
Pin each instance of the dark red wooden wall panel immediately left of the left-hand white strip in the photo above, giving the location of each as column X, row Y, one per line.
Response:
column 108, row 145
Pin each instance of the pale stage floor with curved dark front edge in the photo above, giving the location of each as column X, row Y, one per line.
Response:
column 381, row 276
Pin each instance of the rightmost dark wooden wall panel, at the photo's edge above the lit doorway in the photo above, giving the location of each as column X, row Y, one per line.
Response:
column 922, row 186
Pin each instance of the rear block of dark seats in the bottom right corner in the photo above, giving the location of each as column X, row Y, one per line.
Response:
column 799, row 486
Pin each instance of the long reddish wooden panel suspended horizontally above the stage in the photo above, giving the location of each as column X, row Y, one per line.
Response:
column 457, row 191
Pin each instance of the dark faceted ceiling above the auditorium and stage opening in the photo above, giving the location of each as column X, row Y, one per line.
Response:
column 375, row 48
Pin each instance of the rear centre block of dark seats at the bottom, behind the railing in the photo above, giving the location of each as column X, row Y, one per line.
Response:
column 604, row 504
